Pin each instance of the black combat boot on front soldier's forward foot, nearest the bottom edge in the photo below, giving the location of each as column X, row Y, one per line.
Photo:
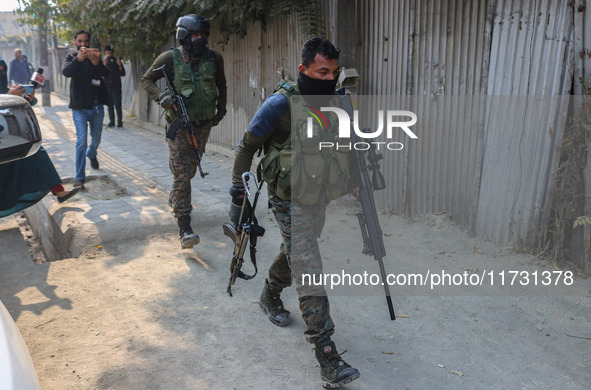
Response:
column 334, row 371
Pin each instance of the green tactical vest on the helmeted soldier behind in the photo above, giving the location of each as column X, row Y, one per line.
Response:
column 197, row 87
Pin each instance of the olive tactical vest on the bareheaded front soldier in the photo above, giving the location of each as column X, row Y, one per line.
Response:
column 298, row 169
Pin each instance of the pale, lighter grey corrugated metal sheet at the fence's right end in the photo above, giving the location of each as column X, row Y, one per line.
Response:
column 530, row 55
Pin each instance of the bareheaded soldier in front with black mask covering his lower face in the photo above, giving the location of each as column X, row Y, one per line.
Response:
column 298, row 200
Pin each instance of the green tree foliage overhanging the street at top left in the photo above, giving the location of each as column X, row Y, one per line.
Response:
column 138, row 29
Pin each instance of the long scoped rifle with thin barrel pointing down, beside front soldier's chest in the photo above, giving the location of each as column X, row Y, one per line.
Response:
column 373, row 243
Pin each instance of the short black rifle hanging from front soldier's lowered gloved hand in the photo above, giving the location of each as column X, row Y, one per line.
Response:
column 247, row 229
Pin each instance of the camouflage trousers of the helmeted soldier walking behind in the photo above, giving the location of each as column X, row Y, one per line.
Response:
column 183, row 165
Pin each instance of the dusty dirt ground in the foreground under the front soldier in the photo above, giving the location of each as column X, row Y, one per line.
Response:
column 145, row 315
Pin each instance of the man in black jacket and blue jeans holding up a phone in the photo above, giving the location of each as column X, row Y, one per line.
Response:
column 87, row 97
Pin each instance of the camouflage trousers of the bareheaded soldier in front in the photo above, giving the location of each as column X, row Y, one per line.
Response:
column 300, row 227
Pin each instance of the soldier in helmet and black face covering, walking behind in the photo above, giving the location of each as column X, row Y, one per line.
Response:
column 198, row 75
